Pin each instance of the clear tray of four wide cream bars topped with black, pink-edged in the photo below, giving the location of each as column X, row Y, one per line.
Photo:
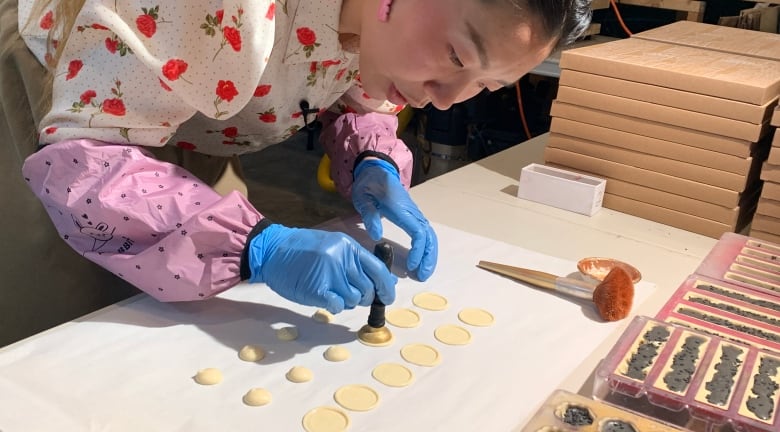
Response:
column 691, row 379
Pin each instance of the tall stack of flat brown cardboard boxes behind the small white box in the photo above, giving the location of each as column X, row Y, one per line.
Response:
column 675, row 118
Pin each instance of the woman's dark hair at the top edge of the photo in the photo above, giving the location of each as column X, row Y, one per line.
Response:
column 561, row 20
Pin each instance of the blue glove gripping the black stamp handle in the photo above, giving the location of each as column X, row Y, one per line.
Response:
column 319, row 268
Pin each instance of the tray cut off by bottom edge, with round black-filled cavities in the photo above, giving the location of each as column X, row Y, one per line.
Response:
column 565, row 411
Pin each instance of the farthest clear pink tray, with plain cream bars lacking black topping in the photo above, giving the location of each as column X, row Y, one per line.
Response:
column 744, row 261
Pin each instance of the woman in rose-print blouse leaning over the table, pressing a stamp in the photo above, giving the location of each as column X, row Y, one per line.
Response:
column 220, row 78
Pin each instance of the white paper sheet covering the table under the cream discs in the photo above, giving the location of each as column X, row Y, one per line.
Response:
column 130, row 367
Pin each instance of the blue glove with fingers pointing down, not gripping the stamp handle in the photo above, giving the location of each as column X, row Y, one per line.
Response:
column 376, row 192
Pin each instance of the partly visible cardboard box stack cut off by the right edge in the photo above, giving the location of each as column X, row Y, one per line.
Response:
column 766, row 221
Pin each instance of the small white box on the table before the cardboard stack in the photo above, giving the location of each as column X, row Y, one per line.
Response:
column 560, row 188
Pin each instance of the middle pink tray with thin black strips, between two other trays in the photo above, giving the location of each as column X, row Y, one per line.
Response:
column 730, row 311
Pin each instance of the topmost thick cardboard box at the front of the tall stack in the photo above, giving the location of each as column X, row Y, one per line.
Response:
column 736, row 77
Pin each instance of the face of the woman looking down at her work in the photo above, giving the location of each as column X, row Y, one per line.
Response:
column 445, row 51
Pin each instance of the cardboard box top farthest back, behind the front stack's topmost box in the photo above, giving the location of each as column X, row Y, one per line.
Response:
column 719, row 38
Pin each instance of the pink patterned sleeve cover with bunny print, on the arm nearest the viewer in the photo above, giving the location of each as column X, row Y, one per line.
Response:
column 150, row 222
